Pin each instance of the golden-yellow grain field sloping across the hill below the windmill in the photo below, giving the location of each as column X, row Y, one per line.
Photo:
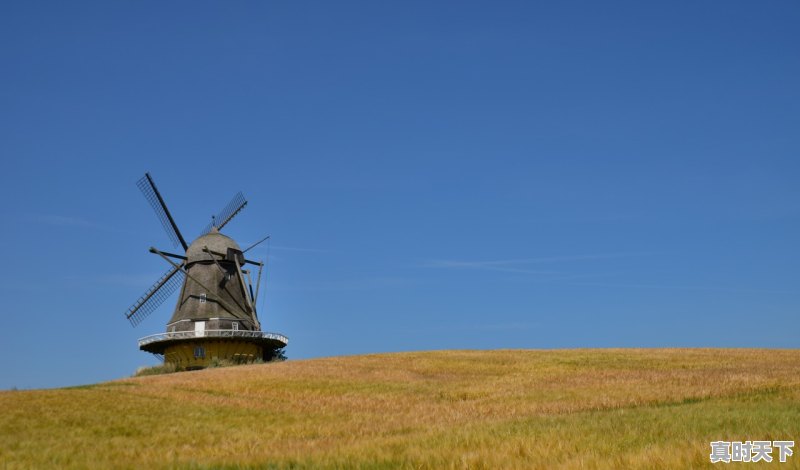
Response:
column 623, row 408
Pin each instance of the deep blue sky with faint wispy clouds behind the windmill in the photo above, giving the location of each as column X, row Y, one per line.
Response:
column 434, row 175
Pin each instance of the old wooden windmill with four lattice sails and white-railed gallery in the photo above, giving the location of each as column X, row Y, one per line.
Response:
column 215, row 317
